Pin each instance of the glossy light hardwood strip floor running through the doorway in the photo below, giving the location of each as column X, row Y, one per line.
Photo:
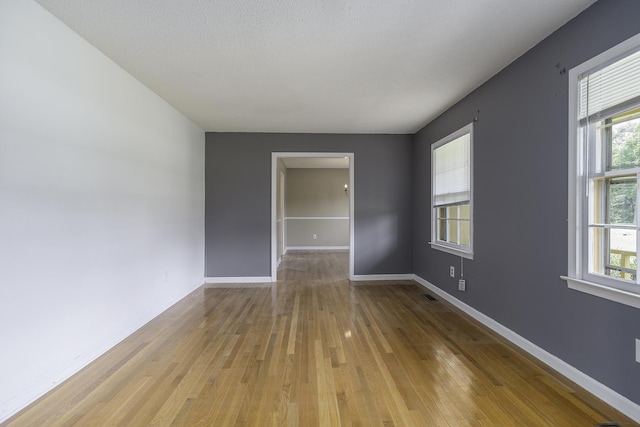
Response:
column 316, row 350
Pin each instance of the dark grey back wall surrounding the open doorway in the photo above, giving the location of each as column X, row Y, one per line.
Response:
column 238, row 201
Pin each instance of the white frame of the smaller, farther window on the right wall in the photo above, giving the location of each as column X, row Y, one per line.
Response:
column 455, row 249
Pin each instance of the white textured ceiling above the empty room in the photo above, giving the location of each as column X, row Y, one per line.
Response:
column 331, row 66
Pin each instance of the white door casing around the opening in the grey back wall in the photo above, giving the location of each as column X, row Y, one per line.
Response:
column 277, row 201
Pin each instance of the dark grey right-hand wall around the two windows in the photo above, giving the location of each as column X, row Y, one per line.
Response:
column 520, row 188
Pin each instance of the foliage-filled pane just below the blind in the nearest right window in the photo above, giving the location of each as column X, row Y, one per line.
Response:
column 623, row 135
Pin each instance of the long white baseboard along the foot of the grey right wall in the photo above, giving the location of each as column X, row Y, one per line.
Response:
column 613, row 398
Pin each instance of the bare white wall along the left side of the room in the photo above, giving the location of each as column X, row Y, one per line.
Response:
column 101, row 204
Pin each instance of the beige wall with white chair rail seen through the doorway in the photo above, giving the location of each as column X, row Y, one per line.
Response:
column 316, row 204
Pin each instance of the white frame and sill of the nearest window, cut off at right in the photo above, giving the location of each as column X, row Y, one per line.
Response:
column 578, row 277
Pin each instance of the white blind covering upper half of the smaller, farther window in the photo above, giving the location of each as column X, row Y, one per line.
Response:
column 452, row 172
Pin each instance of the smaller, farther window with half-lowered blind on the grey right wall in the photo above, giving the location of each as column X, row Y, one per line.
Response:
column 452, row 193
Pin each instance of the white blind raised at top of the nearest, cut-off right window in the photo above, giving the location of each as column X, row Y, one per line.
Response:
column 602, row 92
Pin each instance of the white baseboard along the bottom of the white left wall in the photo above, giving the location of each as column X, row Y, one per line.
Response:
column 48, row 382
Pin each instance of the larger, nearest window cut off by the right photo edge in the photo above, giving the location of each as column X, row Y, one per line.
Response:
column 604, row 167
